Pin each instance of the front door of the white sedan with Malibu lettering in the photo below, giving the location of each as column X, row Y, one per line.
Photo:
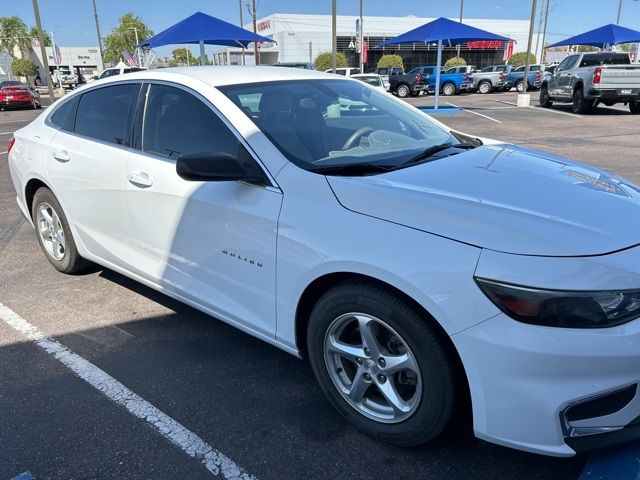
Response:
column 213, row 243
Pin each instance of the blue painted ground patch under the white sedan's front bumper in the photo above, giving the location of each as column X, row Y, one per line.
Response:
column 617, row 463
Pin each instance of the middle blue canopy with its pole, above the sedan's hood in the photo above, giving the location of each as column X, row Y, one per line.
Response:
column 442, row 30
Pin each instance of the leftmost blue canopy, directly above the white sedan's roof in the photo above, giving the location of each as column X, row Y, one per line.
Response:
column 204, row 29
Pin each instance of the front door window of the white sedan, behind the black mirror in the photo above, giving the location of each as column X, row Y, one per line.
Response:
column 177, row 123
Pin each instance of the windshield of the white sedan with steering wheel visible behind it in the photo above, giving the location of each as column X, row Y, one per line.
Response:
column 333, row 123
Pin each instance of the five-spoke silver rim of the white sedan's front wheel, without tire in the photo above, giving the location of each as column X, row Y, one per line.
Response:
column 372, row 367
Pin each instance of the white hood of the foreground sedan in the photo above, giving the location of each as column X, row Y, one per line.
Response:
column 505, row 198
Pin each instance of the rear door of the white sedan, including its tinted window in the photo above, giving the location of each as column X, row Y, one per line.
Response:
column 86, row 164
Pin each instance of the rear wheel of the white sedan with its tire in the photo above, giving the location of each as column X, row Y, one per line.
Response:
column 54, row 234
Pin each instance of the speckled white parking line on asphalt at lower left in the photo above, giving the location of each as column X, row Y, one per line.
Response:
column 190, row 443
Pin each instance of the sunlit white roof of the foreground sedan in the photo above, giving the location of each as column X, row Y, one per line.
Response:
column 224, row 75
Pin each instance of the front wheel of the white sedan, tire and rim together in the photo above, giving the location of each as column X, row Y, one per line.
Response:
column 381, row 365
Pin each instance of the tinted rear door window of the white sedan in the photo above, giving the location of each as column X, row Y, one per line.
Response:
column 105, row 114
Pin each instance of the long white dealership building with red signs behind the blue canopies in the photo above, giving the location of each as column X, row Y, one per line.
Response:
column 299, row 38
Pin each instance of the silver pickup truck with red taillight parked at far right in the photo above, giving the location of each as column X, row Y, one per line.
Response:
column 588, row 79
